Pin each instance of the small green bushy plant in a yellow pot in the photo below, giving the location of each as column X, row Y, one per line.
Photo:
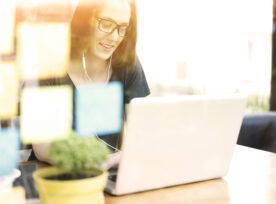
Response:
column 76, row 176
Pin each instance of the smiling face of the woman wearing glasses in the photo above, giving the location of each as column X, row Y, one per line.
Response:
column 104, row 44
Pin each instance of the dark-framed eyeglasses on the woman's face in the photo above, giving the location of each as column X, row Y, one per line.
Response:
column 108, row 26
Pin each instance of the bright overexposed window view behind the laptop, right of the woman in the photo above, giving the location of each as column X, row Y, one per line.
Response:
column 191, row 47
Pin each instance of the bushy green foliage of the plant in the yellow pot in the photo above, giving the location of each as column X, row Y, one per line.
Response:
column 76, row 155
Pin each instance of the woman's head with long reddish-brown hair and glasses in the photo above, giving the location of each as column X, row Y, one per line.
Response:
column 102, row 32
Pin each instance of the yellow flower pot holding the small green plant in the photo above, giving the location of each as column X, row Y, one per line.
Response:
column 81, row 191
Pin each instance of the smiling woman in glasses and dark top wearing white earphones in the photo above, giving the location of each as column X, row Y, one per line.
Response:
column 103, row 44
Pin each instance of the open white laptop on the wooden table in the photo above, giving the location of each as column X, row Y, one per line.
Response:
column 176, row 140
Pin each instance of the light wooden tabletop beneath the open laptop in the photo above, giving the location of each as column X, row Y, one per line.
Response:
column 251, row 179
